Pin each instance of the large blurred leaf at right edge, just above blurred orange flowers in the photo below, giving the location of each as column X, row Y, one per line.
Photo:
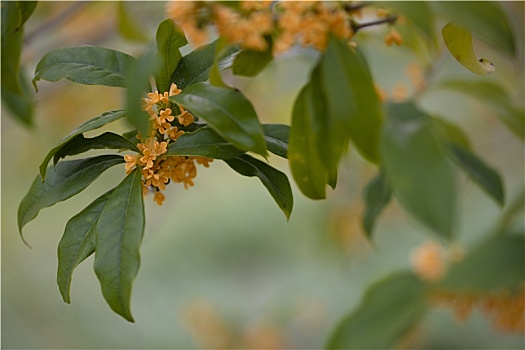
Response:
column 494, row 265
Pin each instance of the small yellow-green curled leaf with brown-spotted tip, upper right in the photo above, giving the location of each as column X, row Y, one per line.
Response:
column 459, row 42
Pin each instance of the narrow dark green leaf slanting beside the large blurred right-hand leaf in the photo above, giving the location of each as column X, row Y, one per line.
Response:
column 486, row 177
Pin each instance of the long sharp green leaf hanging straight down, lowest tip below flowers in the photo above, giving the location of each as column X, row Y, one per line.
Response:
column 119, row 232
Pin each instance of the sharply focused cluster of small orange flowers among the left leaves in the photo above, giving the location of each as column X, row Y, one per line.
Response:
column 157, row 168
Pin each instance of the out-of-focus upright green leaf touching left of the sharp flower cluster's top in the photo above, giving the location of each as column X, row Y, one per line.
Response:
column 139, row 74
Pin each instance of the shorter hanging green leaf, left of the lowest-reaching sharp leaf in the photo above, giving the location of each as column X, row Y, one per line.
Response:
column 78, row 243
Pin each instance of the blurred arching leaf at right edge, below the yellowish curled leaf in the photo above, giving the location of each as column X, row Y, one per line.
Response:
column 493, row 95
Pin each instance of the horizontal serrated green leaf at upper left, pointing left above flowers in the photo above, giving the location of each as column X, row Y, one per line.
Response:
column 88, row 65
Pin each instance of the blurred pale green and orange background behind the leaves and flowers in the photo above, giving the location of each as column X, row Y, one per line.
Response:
column 221, row 267
